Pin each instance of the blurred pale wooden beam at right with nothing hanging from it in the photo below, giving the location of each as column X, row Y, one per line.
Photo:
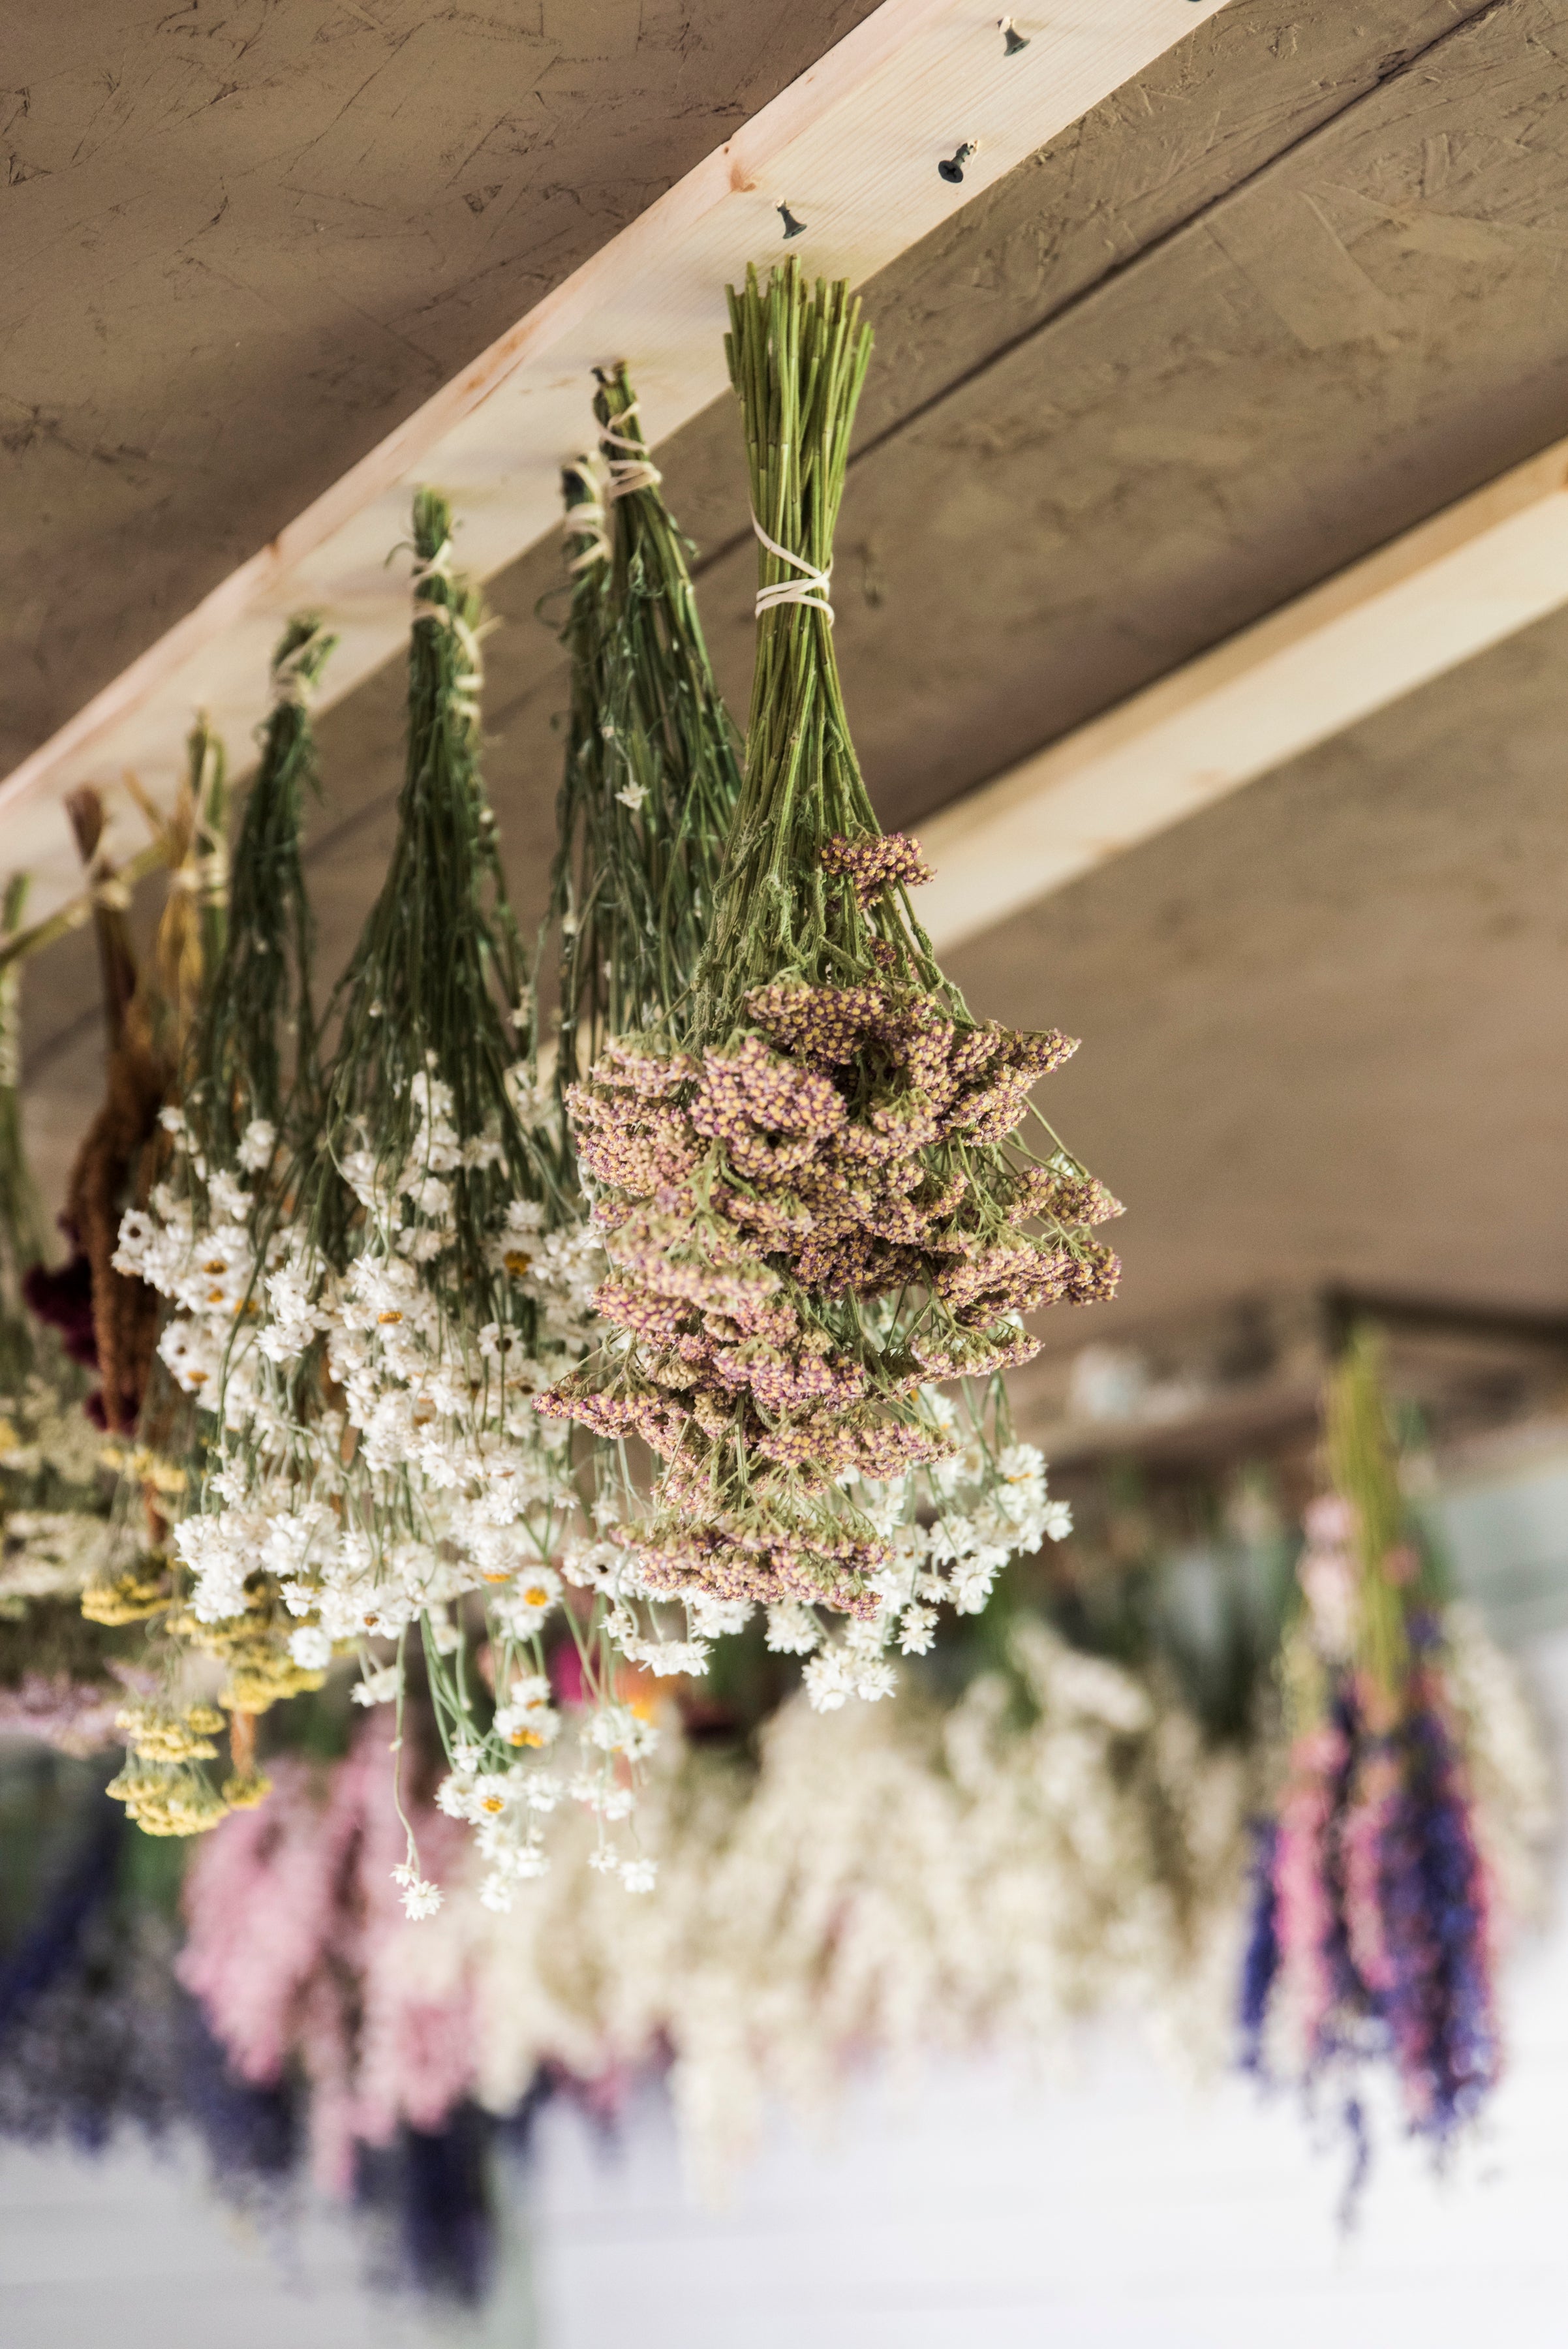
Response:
column 1419, row 607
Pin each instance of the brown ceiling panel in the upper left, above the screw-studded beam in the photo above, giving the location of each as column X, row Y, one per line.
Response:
column 245, row 238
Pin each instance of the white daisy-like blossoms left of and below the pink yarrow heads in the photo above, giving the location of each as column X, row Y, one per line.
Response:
column 417, row 1472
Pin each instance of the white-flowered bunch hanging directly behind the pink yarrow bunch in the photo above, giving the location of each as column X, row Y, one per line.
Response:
column 649, row 802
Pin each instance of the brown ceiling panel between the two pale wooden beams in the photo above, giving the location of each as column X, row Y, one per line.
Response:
column 1156, row 452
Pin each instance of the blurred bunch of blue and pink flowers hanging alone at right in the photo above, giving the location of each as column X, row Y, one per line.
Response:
column 1379, row 1904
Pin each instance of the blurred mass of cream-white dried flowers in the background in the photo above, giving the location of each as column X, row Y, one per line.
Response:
column 895, row 1883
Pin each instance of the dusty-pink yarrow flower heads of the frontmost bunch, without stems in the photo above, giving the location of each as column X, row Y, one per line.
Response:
column 806, row 1225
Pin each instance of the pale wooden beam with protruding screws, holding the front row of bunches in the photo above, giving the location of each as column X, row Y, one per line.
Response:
column 853, row 149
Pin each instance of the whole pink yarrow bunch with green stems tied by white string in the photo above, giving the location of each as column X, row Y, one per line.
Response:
column 811, row 1183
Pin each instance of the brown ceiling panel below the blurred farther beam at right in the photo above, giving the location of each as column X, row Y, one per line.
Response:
column 1325, row 1025
